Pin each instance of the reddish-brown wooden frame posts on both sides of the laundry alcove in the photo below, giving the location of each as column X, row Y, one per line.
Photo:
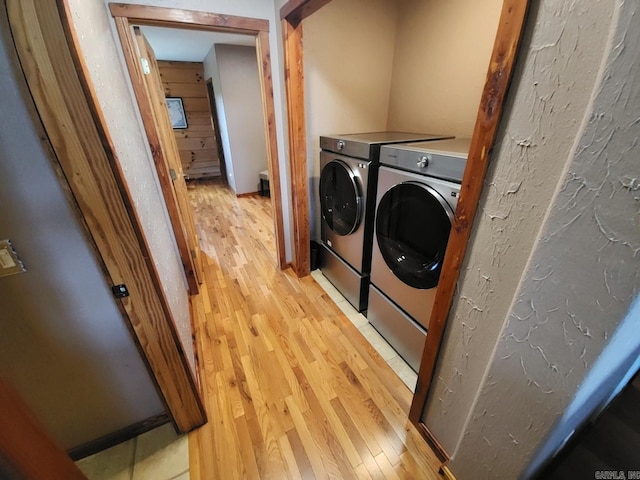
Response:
column 501, row 64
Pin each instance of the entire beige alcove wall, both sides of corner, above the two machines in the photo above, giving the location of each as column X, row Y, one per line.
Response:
column 415, row 65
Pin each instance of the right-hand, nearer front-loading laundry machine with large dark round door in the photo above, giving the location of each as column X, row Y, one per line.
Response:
column 417, row 194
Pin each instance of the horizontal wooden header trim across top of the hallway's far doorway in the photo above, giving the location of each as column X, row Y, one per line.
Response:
column 173, row 17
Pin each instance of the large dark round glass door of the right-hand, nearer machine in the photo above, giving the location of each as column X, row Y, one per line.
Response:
column 413, row 222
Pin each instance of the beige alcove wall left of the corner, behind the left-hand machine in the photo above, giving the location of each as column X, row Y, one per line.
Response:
column 348, row 52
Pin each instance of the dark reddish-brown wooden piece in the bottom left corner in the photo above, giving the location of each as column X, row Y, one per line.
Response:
column 25, row 447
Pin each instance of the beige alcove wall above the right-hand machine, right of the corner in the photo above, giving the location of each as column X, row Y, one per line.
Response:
column 440, row 62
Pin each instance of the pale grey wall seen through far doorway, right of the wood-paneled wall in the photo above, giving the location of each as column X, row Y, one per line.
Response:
column 241, row 100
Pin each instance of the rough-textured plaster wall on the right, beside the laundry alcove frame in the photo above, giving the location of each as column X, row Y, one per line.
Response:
column 552, row 267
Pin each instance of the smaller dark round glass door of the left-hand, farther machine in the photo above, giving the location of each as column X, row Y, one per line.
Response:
column 340, row 198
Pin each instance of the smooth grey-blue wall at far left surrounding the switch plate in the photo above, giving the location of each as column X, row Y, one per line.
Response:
column 63, row 342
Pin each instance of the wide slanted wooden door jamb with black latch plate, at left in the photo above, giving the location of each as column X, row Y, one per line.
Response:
column 67, row 105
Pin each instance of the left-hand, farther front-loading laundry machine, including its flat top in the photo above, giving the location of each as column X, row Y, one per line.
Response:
column 348, row 178
